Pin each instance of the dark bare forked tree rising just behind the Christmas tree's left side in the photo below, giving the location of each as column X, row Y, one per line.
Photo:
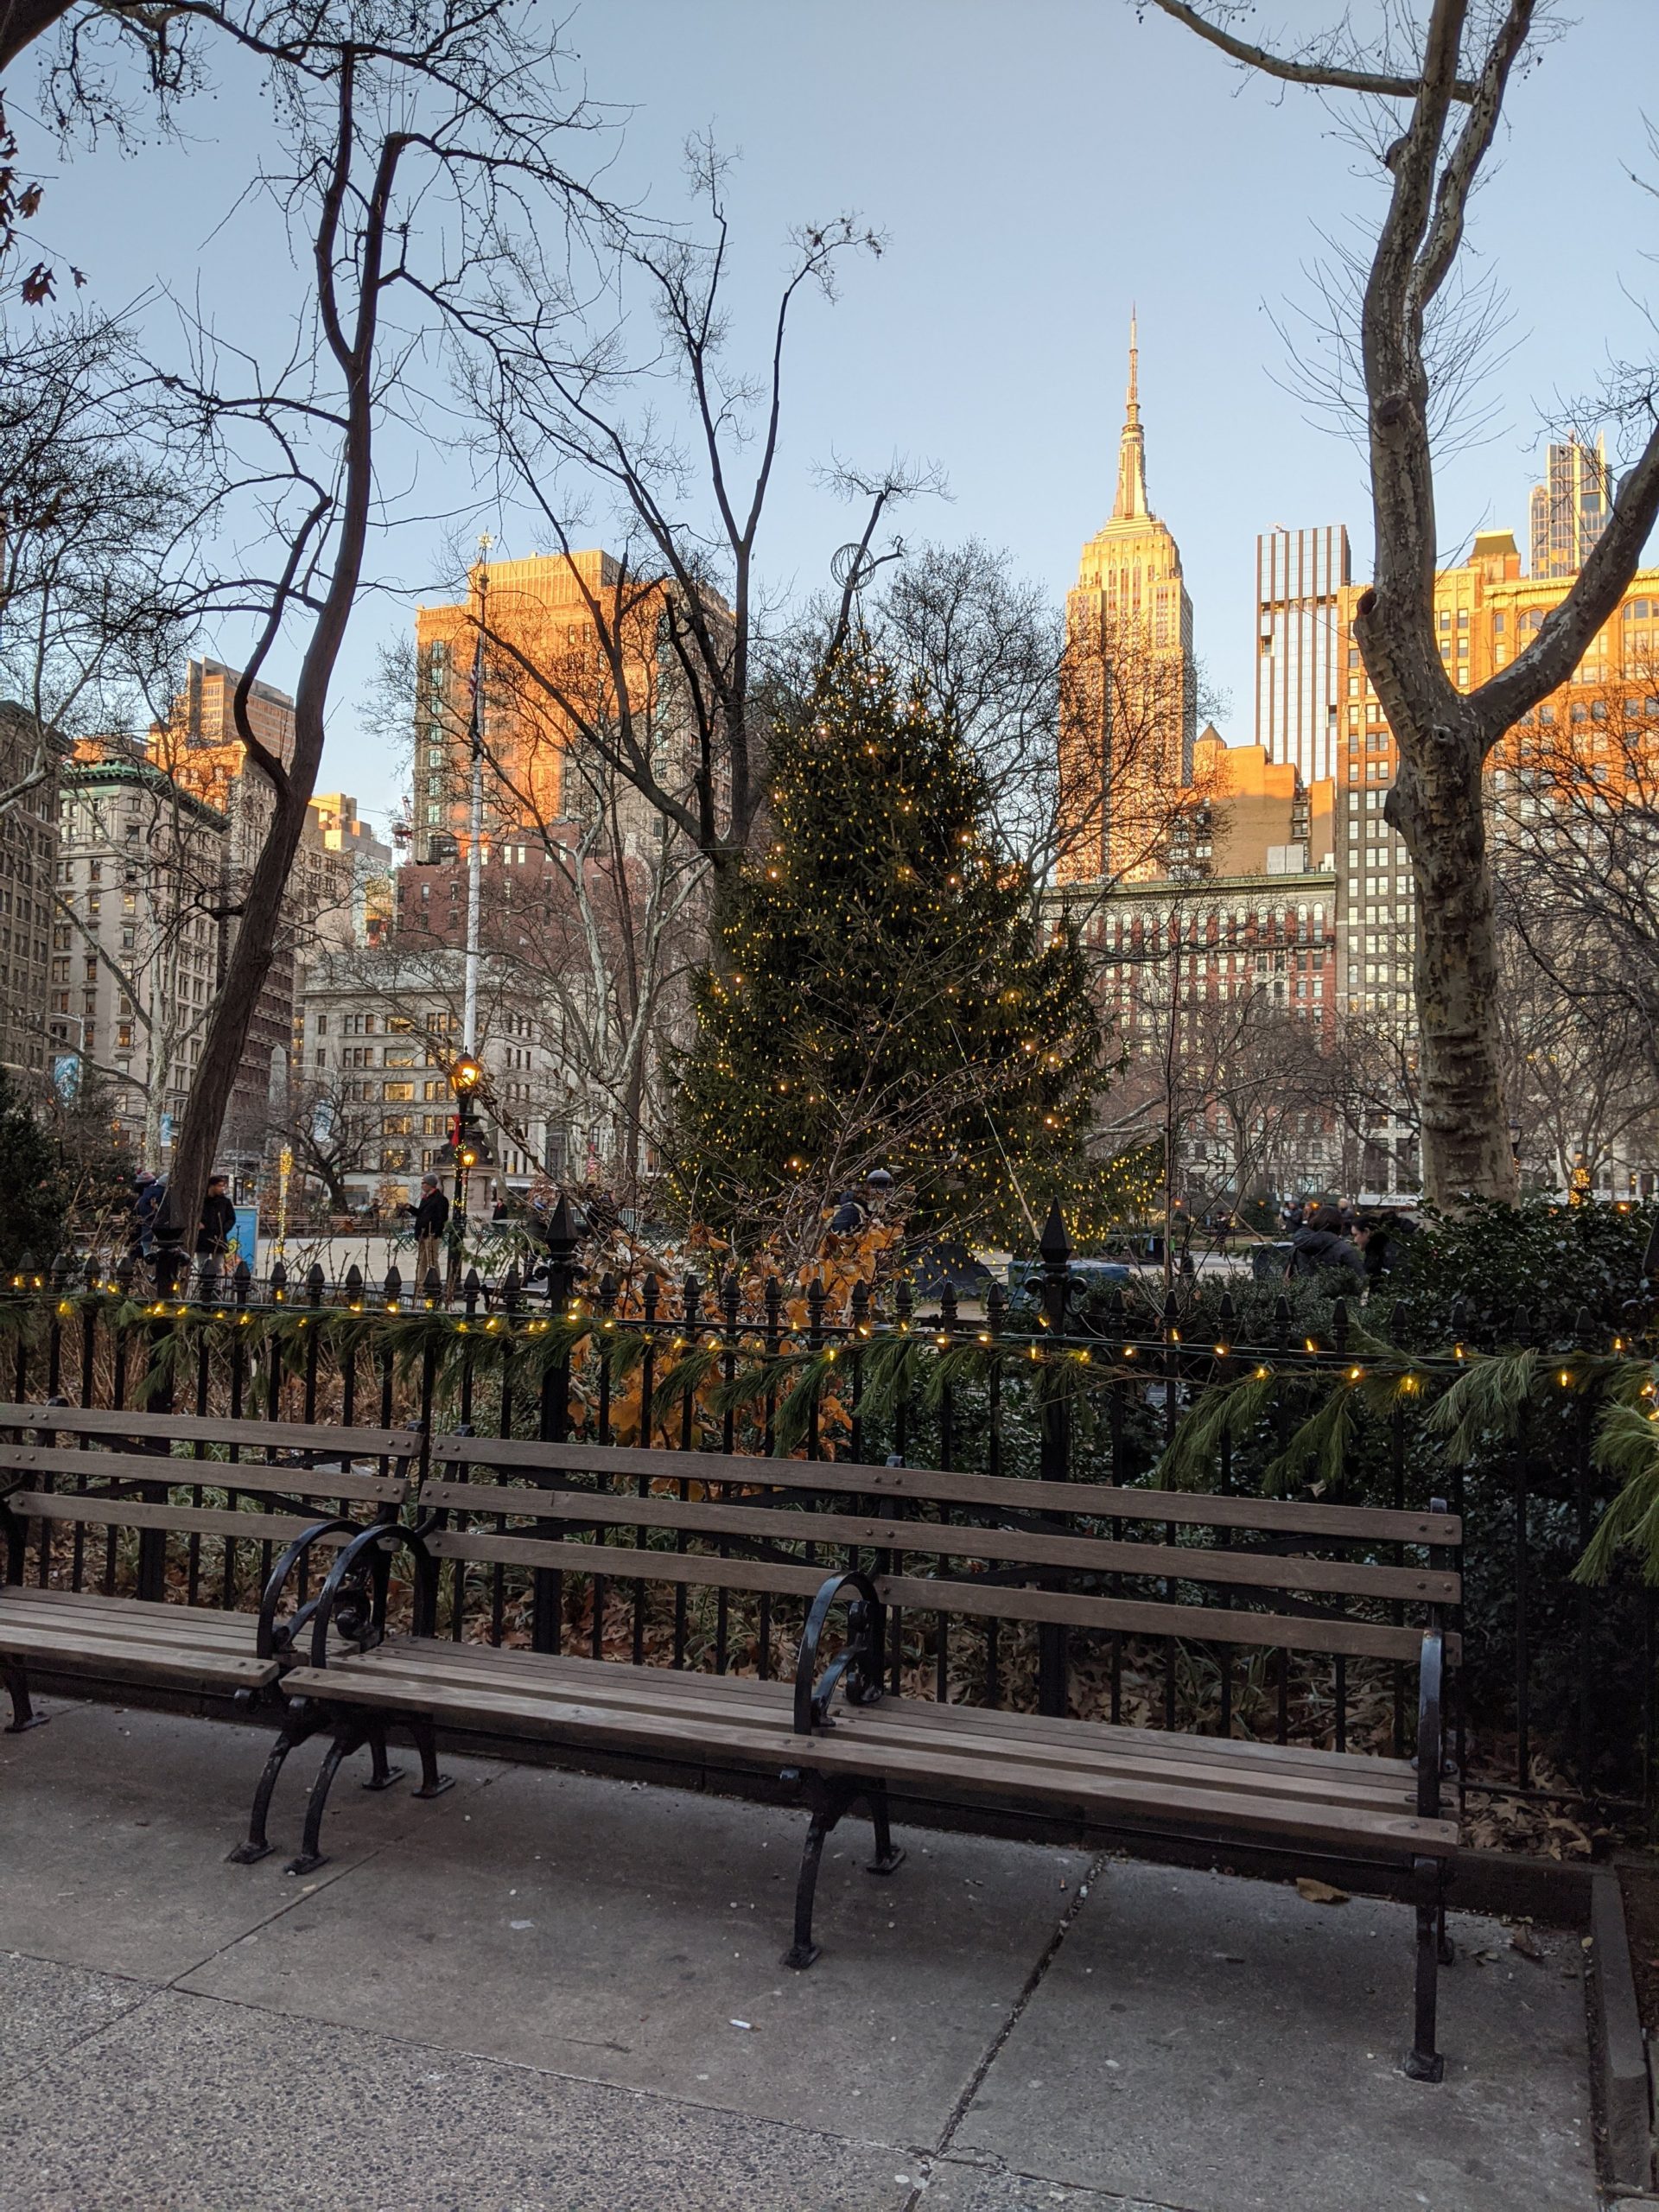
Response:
column 570, row 426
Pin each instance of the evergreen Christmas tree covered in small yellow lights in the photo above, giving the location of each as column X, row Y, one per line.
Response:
column 881, row 994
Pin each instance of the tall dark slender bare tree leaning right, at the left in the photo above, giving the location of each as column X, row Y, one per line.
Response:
column 386, row 118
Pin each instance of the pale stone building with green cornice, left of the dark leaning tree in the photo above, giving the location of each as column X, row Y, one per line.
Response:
column 134, row 941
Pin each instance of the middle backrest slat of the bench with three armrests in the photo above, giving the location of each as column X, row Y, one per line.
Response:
column 784, row 1525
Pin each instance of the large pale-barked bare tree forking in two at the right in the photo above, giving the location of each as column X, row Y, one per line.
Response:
column 1452, row 76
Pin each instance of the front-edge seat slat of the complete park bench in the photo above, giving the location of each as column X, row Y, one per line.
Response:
column 362, row 1680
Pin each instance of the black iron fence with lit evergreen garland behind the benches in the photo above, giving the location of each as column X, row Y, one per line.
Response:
column 1558, row 1678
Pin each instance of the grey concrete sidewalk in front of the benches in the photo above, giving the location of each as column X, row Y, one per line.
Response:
column 556, row 1994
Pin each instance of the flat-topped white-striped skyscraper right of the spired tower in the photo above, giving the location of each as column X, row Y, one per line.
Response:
column 1300, row 576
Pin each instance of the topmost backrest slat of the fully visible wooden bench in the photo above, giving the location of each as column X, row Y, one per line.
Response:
column 1016, row 1494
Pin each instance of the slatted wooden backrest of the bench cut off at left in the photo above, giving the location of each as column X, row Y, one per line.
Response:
column 258, row 1483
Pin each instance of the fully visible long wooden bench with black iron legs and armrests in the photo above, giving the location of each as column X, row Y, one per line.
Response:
column 888, row 1541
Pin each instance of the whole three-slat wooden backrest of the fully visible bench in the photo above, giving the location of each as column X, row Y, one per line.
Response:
column 1275, row 1574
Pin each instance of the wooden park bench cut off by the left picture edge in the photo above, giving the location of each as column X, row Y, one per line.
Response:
column 149, row 1527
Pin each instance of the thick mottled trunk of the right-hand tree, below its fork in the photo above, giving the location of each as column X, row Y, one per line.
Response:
column 1439, row 808
